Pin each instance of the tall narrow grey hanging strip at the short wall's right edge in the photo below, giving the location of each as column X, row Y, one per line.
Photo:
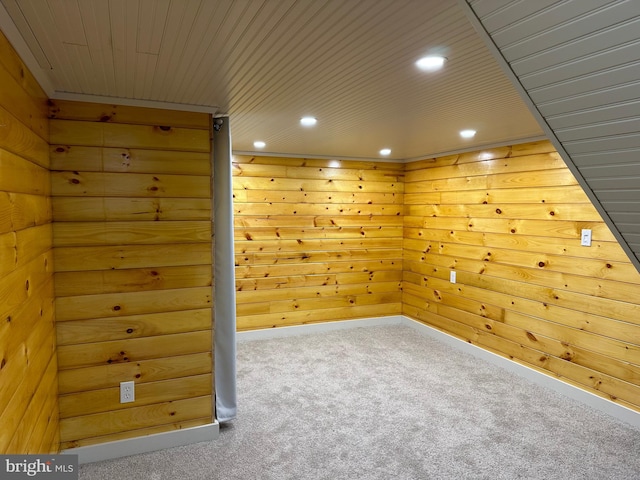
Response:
column 224, row 274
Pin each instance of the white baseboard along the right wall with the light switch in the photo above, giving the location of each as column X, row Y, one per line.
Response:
column 619, row 412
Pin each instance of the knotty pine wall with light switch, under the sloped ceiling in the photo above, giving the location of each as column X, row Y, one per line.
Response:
column 509, row 222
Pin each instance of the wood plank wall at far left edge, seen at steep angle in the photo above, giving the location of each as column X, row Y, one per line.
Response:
column 28, row 369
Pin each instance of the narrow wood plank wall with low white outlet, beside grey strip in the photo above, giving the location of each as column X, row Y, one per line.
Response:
column 132, row 239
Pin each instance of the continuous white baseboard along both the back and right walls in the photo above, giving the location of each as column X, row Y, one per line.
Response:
column 603, row 405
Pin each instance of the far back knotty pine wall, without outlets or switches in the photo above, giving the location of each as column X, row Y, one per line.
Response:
column 316, row 240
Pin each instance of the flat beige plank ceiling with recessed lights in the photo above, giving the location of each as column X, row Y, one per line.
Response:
column 266, row 63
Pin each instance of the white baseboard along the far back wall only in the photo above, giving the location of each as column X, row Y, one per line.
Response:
column 281, row 332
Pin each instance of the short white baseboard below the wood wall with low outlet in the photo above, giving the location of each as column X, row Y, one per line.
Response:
column 145, row 444
